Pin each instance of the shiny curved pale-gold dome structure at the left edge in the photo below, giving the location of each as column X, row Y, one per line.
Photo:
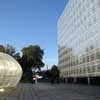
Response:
column 10, row 71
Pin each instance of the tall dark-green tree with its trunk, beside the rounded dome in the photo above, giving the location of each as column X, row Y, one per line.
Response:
column 31, row 58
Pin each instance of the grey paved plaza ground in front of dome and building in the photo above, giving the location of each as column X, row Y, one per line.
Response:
column 43, row 91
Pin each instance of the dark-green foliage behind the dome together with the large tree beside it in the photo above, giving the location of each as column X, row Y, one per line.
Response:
column 31, row 58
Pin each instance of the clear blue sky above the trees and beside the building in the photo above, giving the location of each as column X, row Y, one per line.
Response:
column 31, row 22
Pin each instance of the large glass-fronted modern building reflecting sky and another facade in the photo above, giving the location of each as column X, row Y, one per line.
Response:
column 79, row 39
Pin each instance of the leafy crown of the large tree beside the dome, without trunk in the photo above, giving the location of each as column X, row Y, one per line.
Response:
column 33, row 56
